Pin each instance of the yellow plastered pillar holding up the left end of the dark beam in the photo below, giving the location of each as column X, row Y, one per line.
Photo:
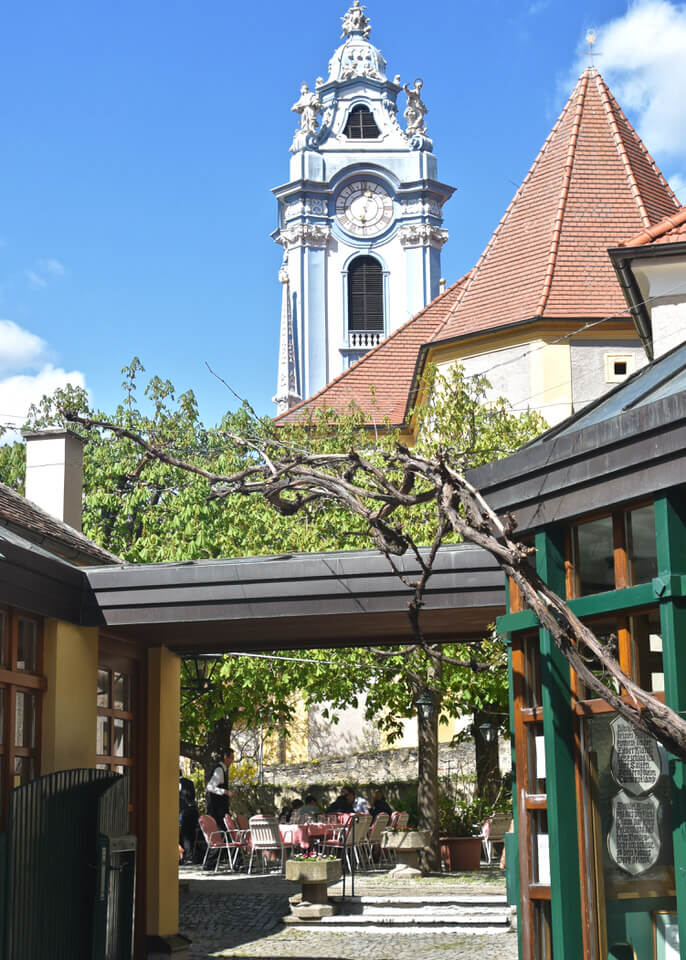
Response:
column 162, row 820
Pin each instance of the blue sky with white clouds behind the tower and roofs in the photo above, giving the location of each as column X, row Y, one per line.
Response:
column 141, row 140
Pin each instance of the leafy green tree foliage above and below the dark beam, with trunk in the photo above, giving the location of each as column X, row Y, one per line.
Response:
column 147, row 509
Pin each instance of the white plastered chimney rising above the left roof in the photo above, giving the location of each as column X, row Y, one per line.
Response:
column 54, row 473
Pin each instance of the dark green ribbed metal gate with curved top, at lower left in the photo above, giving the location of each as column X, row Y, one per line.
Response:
column 67, row 869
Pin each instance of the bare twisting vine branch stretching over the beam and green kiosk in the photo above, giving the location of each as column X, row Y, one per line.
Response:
column 292, row 479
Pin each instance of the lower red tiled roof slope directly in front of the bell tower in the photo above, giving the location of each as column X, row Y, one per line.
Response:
column 380, row 380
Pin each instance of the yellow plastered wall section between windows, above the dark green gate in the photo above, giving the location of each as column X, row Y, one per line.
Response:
column 69, row 717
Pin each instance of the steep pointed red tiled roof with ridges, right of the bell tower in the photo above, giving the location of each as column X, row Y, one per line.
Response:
column 592, row 185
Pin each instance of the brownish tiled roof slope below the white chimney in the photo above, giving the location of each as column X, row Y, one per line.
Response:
column 29, row 521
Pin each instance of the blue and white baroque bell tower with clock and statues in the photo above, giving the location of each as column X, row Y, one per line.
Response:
column 360, row 219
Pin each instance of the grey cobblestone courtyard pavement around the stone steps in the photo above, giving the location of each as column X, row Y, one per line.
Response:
column 239, row 916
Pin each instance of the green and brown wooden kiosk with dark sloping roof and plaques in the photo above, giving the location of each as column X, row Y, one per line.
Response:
column 599, row 860
